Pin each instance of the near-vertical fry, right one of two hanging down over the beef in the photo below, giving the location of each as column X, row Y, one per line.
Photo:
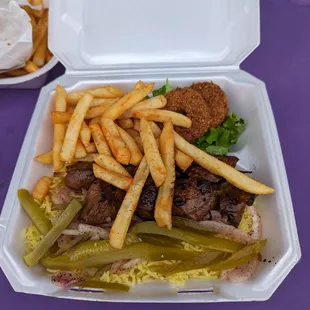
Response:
column 163, row 206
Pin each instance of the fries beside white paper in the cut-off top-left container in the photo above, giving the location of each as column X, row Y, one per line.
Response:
column 40, row 54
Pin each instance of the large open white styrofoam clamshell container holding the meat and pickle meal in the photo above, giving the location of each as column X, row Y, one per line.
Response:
column 119, row 42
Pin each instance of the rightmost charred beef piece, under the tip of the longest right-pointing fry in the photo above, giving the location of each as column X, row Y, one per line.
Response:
column 232, row 202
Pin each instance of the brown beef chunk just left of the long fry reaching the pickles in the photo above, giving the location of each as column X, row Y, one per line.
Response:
column 102, row 201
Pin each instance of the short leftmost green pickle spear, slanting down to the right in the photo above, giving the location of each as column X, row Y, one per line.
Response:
column 39, row 220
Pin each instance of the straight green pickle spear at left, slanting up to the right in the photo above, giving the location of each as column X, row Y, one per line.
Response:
column 49, row 239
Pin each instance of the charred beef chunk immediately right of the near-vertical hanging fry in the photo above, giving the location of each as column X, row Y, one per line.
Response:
column 193, row 198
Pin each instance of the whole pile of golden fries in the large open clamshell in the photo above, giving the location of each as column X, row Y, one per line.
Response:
column 111, row 129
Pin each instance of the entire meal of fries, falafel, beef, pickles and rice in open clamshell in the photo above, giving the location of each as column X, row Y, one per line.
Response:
column 131, row 199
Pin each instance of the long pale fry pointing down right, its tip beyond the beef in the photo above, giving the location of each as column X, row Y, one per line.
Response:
column 218, row 167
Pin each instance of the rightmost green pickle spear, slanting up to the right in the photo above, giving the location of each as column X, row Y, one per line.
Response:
column 241, row 257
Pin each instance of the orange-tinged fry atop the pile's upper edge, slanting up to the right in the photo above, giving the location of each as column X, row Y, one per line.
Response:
column 128, row 101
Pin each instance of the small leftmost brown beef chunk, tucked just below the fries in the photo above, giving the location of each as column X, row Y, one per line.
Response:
column 79, row 175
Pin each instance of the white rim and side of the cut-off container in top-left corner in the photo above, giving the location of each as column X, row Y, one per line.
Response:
column 32, row 80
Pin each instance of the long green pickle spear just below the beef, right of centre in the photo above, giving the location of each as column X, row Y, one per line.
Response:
column 209, row 242
